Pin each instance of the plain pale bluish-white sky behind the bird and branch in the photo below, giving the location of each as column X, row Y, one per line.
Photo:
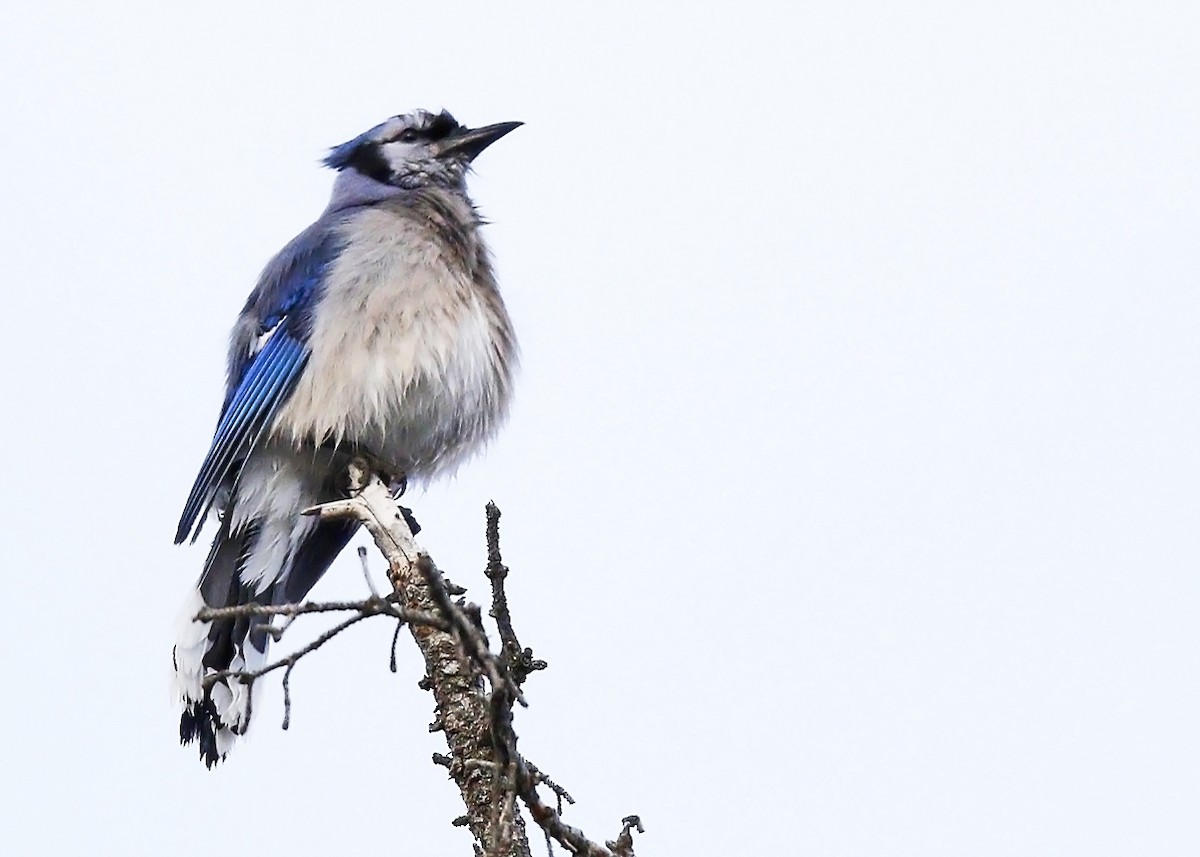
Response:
column 853, row 487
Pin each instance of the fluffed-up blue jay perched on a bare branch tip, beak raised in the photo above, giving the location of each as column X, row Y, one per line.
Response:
column 379, row 331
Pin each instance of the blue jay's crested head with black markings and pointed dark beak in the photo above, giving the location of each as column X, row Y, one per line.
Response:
column 417, row 149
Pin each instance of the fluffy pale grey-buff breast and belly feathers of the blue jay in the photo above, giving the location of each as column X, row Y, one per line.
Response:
column 412, row 351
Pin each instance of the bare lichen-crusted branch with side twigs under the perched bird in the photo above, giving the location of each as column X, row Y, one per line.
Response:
column 475, row 688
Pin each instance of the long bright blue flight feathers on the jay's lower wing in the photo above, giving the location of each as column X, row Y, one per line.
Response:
column 266, row 385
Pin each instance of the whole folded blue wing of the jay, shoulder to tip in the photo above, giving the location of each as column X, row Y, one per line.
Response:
column 280, row 316
